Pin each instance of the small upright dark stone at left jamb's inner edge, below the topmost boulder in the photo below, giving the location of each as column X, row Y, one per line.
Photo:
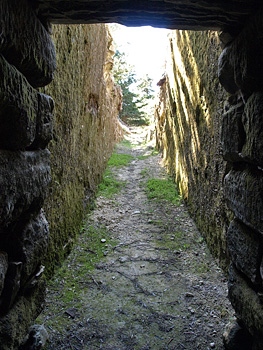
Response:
column 44, row 127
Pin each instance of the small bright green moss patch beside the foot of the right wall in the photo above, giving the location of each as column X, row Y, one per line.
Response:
column 162, row 189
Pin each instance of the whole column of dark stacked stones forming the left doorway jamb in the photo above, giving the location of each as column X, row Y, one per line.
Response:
column 27, row 61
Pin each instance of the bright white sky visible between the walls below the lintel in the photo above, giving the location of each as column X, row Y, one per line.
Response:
column 144, row 47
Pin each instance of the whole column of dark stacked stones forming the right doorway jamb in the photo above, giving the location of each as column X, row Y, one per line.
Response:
column 241, row 73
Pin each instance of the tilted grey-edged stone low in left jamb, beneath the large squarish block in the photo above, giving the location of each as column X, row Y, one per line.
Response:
column 28, row 245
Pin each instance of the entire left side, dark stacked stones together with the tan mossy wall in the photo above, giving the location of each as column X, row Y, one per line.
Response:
column 83, row 127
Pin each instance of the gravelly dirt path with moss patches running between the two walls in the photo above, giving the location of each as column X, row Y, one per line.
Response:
column 156, row 286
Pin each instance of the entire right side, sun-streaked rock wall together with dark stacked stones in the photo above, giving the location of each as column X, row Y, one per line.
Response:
column 196, row 123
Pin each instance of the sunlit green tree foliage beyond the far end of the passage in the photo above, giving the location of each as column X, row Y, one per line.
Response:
column 136, row 92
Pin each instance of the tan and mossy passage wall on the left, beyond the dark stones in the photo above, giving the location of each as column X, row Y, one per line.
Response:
column 85, row 129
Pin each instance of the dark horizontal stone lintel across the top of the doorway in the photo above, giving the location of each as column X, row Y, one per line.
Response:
column 174, row 14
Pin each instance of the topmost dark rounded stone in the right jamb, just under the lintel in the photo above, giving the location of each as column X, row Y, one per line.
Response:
column 242, row 59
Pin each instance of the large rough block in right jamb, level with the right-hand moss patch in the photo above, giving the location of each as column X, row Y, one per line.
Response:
column 243, row 190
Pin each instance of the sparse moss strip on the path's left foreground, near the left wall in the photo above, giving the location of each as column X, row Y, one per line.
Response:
column 67, row 287
